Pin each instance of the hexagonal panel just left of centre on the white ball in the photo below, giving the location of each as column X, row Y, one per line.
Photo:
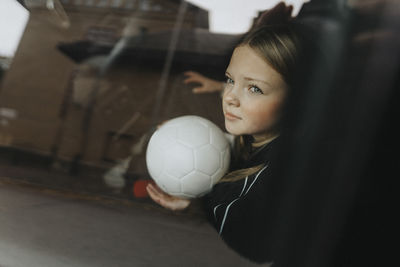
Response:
column 178, row 160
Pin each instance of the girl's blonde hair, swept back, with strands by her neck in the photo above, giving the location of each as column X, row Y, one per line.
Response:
column 278, row 45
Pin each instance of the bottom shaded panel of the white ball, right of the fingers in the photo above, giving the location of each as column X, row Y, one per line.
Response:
column 196, row 184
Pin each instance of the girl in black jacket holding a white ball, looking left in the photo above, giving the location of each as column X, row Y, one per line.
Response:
column 258, row 79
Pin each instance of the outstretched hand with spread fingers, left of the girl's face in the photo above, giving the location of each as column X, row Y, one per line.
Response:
column 207, row 85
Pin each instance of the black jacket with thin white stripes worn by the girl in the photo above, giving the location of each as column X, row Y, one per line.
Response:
column 239, row 210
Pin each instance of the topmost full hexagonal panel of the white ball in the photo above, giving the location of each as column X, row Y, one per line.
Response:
column 193, row 134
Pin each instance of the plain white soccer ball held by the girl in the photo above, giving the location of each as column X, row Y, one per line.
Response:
column 187, row 155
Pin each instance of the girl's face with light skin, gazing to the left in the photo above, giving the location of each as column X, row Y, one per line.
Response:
column 253, row 95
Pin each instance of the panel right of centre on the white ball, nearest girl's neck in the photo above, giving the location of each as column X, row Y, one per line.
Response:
column 207, row 159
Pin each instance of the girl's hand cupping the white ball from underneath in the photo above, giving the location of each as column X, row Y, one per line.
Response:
column 165, row 200
